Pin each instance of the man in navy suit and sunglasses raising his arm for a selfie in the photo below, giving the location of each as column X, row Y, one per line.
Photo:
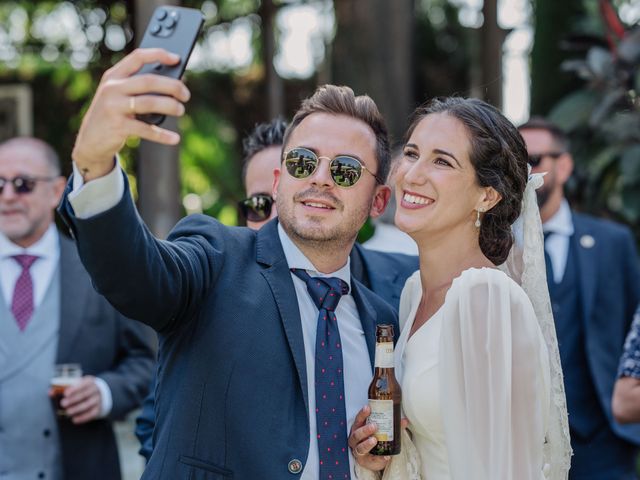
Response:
column 266, row 340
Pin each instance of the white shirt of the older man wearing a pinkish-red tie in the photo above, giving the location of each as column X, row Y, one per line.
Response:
column 47, row 249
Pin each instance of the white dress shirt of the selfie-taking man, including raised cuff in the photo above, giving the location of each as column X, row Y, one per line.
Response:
column 357, row 367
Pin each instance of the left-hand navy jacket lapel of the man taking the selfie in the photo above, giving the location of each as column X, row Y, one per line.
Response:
column 269, row 252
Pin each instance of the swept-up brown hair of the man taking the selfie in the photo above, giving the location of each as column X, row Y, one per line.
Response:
column 341, row 100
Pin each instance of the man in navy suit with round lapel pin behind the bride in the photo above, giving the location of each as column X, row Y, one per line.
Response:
column 594, row 283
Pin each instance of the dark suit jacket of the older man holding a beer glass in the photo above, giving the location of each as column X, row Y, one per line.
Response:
column 107, row 345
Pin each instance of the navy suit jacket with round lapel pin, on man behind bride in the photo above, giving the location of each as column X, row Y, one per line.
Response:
column 610, row 293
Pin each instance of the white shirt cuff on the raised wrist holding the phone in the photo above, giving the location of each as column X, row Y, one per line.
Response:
column 98, row 195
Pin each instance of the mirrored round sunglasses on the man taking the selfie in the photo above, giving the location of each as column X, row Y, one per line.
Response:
column 345, row 170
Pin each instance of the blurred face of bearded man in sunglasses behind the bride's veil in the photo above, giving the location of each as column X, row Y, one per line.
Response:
column 558, row 165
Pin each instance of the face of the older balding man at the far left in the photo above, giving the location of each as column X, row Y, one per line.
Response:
column 24, row 217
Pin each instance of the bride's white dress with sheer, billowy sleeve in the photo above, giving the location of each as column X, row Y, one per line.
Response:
column 476, row 383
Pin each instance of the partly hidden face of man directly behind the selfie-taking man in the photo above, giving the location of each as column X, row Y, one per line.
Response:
column 259, row 178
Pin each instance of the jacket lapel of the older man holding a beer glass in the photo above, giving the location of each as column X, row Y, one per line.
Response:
column 74, row 288
